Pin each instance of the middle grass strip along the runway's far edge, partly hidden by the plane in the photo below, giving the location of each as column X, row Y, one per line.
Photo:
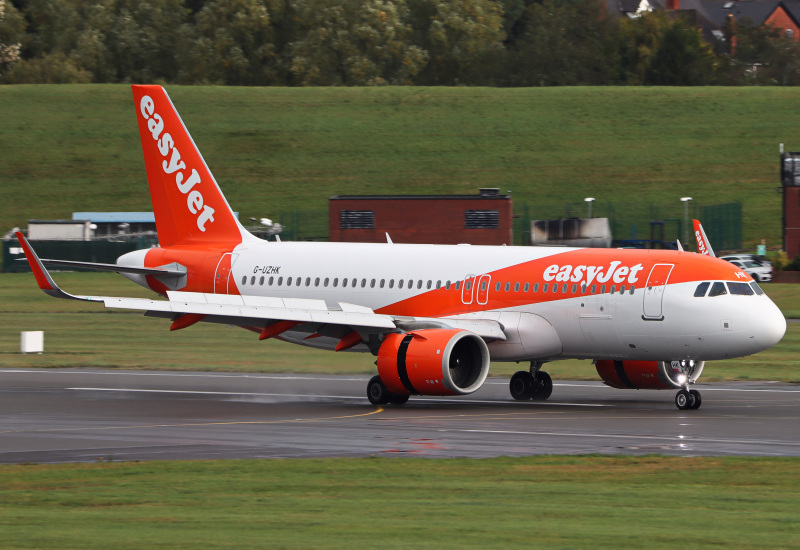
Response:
column 79, row 334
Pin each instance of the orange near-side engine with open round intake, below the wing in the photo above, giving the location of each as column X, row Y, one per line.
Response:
column 433, row 362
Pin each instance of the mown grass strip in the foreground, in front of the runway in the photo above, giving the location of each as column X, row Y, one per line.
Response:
column 537, row 502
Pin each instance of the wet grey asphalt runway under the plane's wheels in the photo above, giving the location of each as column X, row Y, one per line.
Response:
column 51, row 416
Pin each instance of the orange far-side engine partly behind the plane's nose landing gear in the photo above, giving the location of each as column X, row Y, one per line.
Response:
column 649, row 375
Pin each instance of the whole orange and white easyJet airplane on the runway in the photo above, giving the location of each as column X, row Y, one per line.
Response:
column 433, row 315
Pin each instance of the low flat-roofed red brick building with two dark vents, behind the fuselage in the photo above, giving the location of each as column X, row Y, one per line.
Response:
column 484, row 218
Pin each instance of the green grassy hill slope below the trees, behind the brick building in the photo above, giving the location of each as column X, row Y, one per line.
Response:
column 278, row 150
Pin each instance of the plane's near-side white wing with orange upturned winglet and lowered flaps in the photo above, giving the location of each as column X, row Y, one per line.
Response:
column 259, row 312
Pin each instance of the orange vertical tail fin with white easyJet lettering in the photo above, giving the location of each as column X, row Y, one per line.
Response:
column 188, row 204
